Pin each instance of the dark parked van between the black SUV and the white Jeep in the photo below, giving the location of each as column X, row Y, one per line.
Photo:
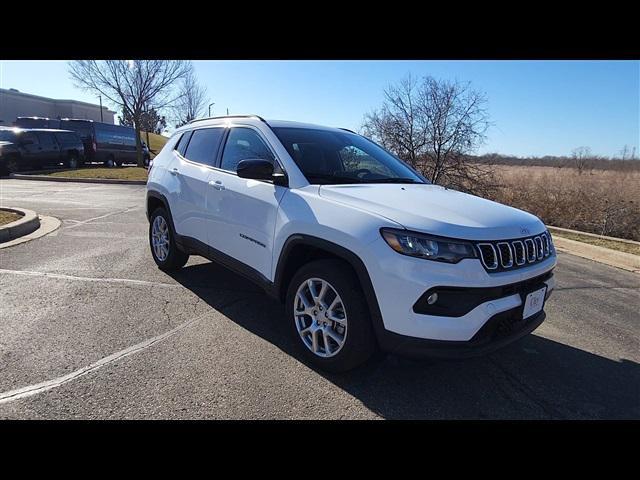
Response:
column 104, row 142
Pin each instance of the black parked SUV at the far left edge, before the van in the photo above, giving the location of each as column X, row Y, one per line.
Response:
column 32, row 149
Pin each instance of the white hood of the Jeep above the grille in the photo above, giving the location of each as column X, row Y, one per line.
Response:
column 438, row 211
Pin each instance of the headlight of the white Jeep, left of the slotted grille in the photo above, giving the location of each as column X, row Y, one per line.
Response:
column 426, row 246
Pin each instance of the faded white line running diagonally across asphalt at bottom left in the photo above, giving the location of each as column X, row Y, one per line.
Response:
column 30, row 390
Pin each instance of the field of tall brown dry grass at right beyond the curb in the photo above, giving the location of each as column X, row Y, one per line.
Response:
column 604, row 202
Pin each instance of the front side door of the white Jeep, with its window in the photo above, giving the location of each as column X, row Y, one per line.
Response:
column 244, row 210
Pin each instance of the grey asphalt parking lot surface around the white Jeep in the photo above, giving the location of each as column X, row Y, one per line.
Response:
column 90, row 328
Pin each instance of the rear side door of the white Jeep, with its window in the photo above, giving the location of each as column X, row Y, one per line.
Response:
column 189, row 183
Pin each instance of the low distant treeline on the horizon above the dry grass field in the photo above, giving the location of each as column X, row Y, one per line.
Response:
column 590, row 163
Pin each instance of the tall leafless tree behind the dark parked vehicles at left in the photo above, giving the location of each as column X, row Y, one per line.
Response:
column 131, row 84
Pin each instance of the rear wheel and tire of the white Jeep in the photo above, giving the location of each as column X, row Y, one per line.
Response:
column 162, row 242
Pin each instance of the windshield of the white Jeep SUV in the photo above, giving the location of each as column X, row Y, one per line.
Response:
column 328, row 157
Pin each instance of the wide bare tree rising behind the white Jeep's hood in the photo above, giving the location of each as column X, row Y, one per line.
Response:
column 434, row 125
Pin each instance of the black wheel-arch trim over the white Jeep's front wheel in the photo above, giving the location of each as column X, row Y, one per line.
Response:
column 341, row 252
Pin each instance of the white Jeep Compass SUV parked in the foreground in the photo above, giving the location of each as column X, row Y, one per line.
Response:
column 363, row 250
